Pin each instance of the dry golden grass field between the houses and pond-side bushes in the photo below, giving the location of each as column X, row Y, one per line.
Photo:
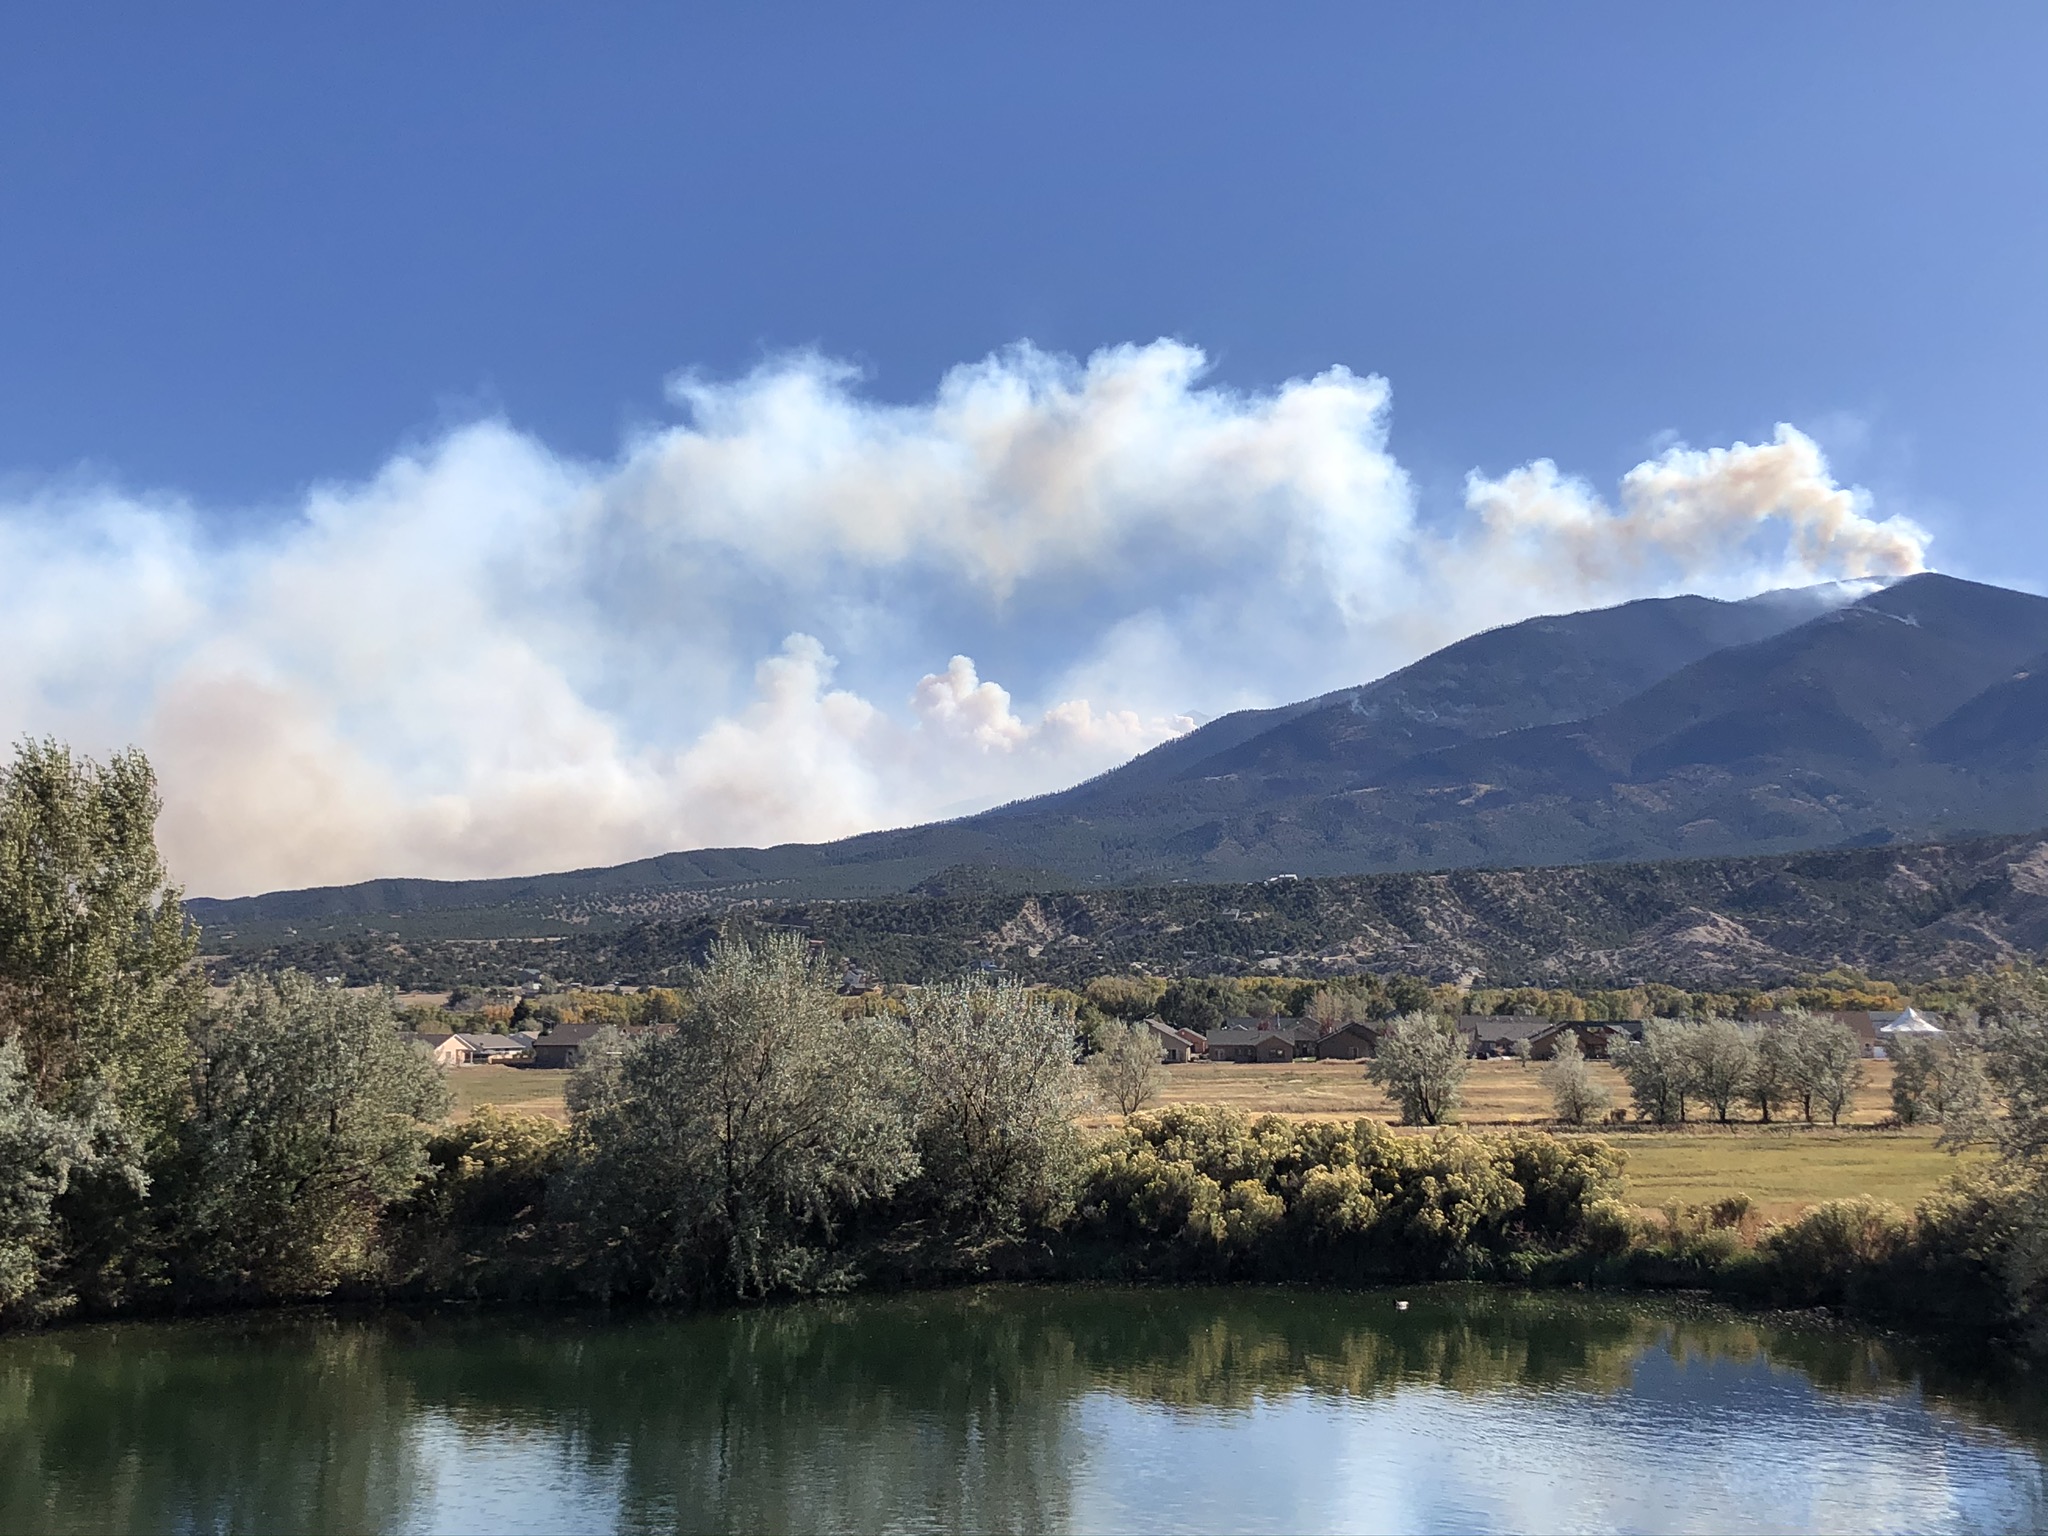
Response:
column 1783, row 1168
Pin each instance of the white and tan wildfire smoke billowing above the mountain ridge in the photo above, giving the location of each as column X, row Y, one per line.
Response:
column 765, row 624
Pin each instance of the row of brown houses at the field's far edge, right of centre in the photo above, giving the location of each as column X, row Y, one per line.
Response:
column 1486, row 1035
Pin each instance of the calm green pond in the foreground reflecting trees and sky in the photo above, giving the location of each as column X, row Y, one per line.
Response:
column 1015, row 1410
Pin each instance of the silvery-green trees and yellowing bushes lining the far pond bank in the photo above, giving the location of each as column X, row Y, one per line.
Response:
column 284, row 1142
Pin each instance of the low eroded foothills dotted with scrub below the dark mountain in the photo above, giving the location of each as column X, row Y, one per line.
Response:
column 1709, row 923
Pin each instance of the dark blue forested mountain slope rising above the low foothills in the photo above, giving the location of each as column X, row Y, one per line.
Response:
column 1662, row 728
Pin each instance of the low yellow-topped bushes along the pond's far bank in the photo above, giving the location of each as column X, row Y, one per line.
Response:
column 1211, row 1195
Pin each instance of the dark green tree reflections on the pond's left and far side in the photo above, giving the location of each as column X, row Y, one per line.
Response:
column 933, row 1412
